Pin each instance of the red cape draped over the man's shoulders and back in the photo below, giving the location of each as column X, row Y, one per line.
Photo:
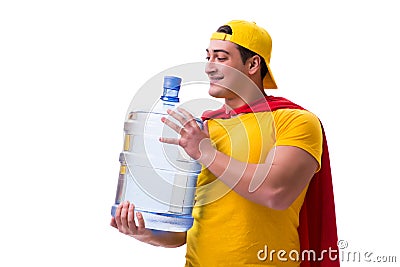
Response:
column 317, row 220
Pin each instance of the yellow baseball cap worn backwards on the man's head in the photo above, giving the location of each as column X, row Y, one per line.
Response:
column 254, row 38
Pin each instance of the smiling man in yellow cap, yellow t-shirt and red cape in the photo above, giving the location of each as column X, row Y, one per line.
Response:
column 260, row 154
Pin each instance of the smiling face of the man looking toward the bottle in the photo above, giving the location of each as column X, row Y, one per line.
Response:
column 225, row 69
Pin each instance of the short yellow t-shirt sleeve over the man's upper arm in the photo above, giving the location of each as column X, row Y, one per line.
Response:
column 299, row 128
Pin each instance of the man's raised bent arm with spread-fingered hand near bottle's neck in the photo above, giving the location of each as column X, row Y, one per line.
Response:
column 275, row 183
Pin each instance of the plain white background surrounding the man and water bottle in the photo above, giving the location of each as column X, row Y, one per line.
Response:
column 69, row 69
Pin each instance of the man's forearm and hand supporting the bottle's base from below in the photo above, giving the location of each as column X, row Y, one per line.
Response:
column 125, row 223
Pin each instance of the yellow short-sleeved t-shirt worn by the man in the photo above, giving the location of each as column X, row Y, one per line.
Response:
column 230, row 230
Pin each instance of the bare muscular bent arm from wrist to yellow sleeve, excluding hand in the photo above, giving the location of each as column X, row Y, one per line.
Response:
column 275, row 183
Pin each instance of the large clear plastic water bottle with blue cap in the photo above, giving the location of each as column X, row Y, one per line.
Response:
column 159, row 178
